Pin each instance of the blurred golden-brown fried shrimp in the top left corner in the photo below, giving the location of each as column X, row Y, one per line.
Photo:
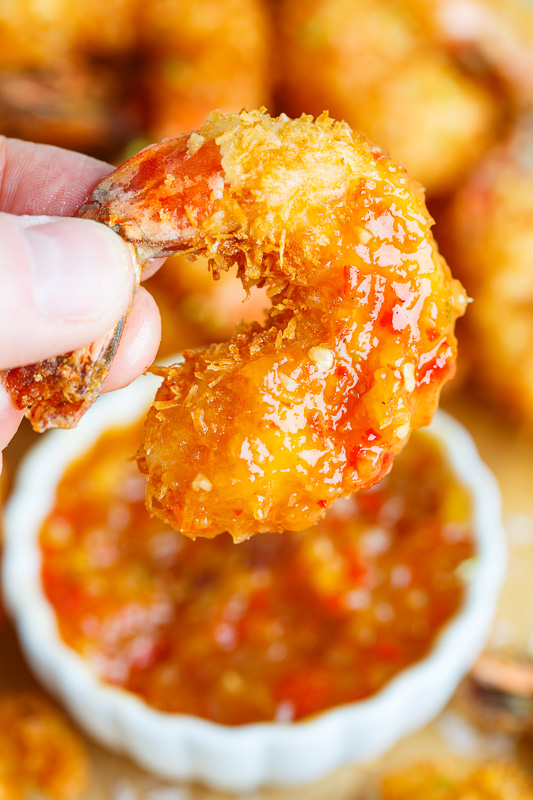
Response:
column 62, row 73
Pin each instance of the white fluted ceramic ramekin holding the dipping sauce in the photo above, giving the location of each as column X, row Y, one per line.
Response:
column 241, row 758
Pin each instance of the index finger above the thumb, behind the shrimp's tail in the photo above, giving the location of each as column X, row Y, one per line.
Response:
column 41, row 179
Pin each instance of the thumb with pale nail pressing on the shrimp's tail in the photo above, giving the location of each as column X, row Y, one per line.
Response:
column 63, row 283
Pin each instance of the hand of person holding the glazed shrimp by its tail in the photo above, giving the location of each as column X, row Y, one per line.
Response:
column 63, row 281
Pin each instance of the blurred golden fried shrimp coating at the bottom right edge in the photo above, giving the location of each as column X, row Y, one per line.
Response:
column 497, row 781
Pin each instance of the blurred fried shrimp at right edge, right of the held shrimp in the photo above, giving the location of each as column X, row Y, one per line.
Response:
column 489, row 241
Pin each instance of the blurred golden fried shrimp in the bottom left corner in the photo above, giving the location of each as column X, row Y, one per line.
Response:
column 39, row 749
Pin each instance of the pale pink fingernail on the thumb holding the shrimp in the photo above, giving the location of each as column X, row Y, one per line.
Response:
column 80, row 269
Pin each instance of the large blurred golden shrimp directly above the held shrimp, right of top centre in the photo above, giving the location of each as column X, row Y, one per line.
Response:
column 387, row 73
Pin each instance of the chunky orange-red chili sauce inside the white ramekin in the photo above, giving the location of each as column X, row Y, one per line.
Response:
column 276, row 628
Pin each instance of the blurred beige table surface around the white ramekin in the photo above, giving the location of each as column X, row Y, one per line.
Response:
column 509, row 453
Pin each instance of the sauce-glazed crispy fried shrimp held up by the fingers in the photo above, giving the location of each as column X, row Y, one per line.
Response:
column 264, row 432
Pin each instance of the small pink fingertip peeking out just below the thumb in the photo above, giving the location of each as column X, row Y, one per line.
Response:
column 139, row 344
